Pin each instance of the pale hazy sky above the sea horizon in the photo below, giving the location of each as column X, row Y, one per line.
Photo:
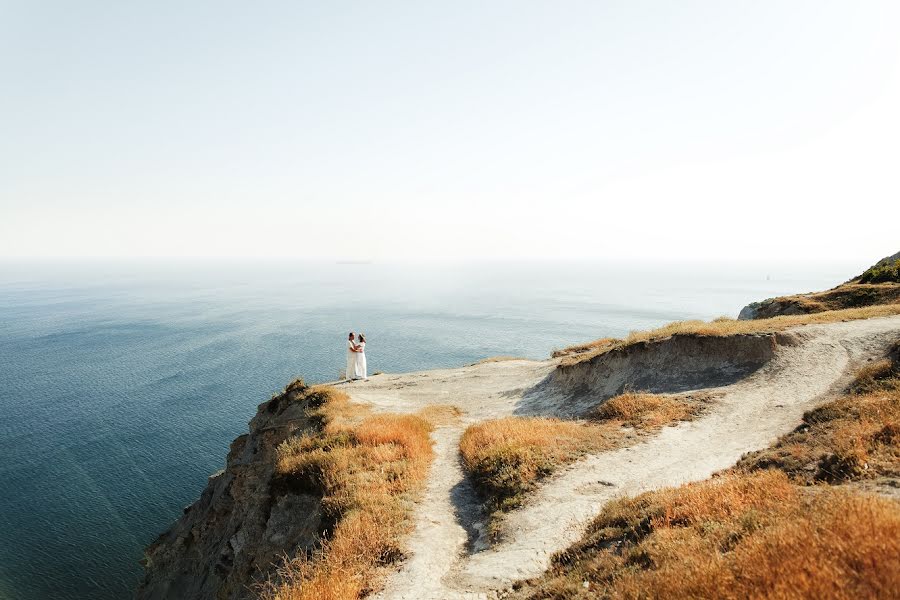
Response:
column 460, row 129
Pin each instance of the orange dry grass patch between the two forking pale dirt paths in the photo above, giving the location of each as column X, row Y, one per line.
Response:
column 507, row 457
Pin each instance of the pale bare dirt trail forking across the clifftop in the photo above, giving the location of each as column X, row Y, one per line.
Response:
column 447, row 555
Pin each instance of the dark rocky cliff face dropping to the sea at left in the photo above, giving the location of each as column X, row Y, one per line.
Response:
column 235, row 534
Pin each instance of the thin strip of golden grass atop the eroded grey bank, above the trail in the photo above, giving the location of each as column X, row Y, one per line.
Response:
column 724, row 326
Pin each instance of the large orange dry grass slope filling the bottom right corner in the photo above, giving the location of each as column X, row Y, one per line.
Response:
column 754, row 536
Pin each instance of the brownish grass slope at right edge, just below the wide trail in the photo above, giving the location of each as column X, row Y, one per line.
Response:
column 854, row 437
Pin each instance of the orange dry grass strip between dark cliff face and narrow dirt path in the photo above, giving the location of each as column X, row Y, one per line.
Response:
column 367, row 469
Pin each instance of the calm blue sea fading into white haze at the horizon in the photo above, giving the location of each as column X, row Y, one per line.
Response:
column 123, row 384
